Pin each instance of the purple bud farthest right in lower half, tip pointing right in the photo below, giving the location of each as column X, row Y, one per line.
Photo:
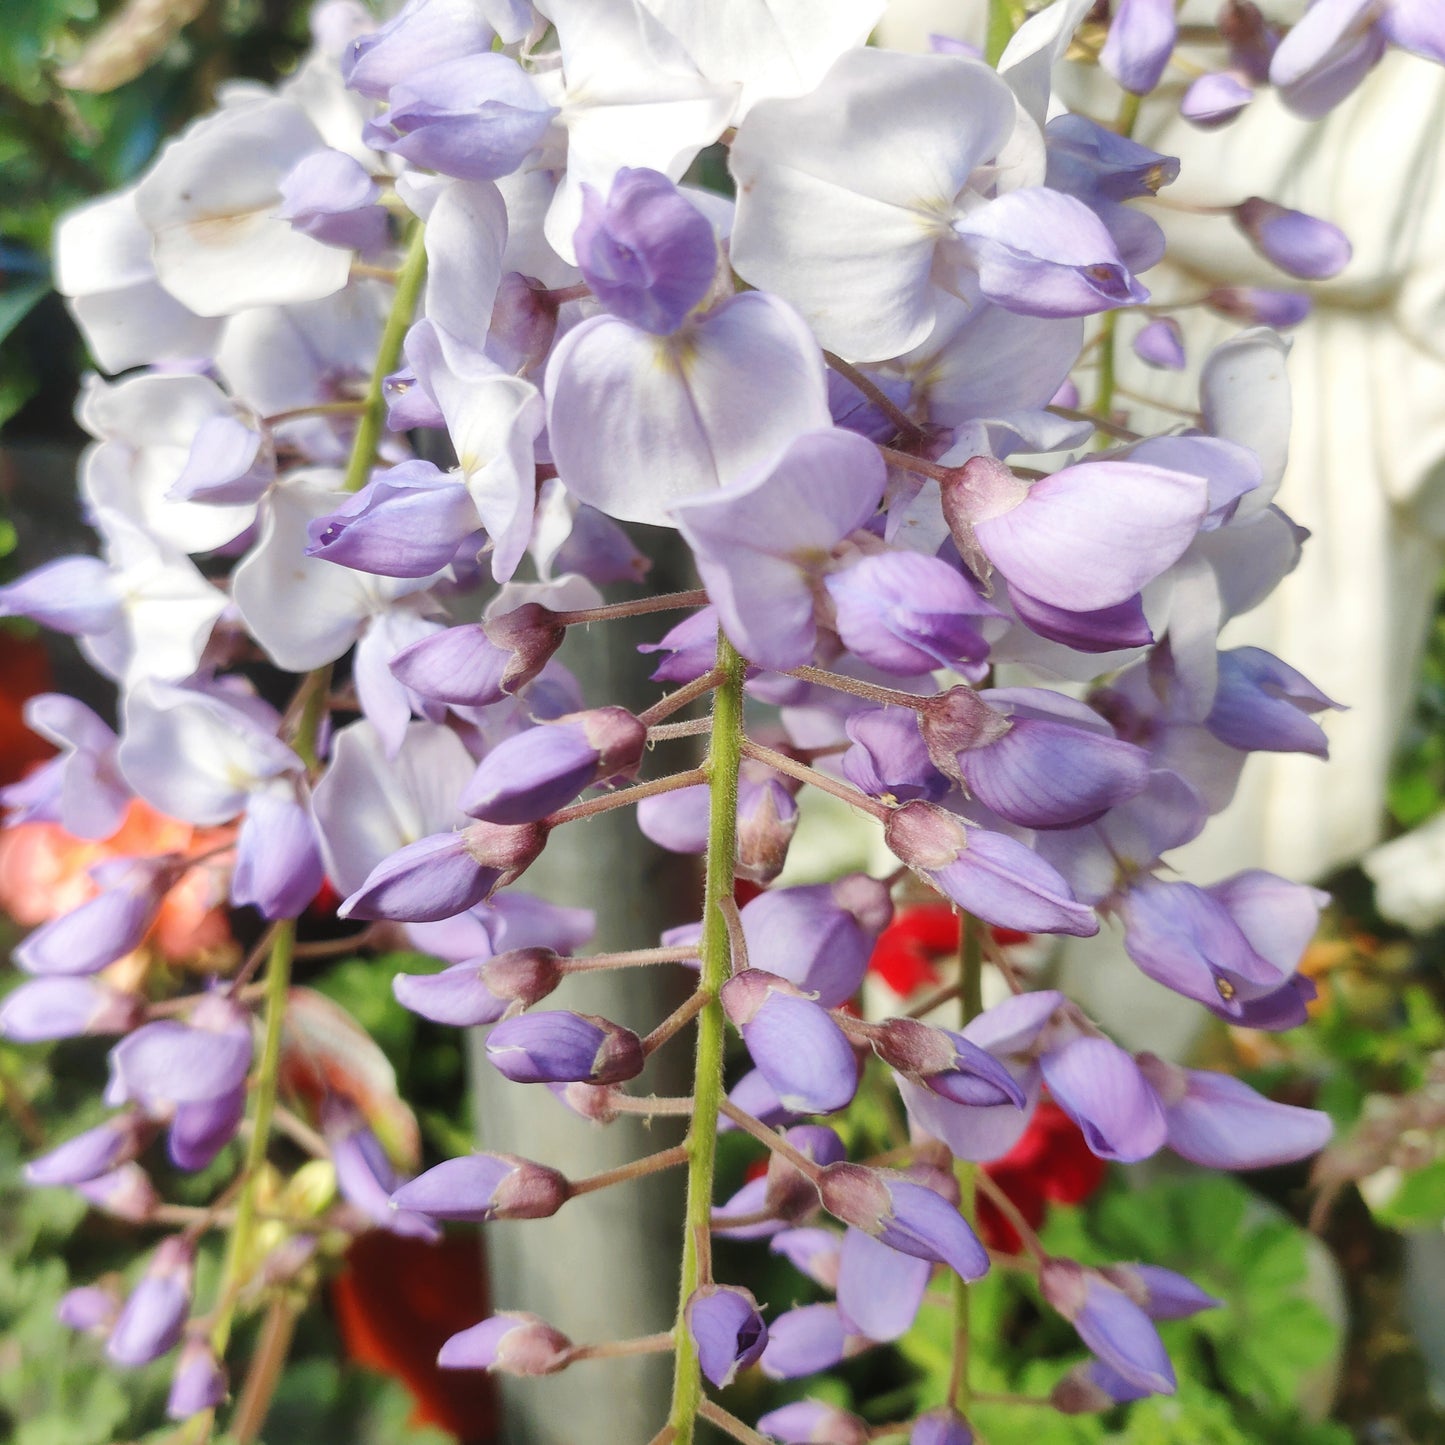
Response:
column 1222, row 1123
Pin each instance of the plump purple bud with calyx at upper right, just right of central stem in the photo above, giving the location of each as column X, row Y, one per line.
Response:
column 819, row 937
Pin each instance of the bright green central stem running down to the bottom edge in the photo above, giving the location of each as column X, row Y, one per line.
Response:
column 725, row 756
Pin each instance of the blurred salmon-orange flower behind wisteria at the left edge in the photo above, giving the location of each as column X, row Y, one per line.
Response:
column 46, row 872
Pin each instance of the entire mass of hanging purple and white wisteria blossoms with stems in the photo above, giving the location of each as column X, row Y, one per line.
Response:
column 395, row 349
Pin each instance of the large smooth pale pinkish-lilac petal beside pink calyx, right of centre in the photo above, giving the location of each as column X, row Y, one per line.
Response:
column 1093, row 535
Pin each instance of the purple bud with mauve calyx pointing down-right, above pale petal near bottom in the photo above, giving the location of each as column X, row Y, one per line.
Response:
column 905, row 1216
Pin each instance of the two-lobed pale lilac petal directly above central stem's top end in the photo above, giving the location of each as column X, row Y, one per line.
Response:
column 759, row 544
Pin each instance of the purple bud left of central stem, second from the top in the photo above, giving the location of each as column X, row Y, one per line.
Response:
column 532, row 774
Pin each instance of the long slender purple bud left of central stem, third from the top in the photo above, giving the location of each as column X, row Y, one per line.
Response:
column 447, row 874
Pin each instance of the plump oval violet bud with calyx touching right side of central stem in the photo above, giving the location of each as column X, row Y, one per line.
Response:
column 794, row 1043
